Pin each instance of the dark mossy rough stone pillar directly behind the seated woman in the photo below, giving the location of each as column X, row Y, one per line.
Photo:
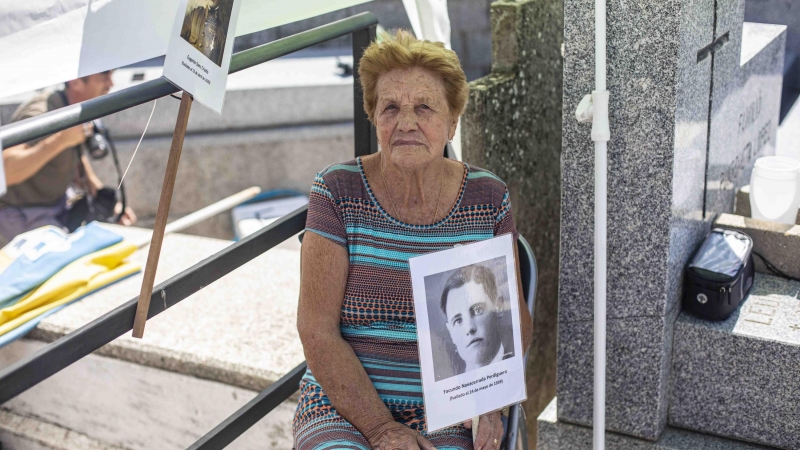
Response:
column 512, row 127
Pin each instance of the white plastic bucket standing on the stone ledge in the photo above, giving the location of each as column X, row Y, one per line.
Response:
column 775, row 189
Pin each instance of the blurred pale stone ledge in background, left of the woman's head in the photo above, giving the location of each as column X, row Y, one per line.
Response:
column 282, row 92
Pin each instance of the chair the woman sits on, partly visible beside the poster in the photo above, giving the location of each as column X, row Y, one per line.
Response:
column 516, row 437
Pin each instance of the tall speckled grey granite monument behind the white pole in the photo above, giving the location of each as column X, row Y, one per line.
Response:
column 695, row 95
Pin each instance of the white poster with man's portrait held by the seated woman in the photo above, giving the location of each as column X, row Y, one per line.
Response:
column 468, row 329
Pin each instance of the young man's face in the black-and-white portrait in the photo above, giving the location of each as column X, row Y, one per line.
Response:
column 472, row 323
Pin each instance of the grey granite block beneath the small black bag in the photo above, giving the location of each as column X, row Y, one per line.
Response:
column 740, row 377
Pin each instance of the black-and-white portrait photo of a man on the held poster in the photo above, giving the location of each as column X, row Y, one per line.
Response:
column 470, row 317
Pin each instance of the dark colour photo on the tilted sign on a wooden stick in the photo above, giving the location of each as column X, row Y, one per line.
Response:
column 205, row 27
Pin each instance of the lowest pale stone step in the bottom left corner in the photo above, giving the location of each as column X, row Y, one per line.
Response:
column 27, row 433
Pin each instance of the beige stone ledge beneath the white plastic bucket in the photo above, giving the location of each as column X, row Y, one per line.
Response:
column 778, row 242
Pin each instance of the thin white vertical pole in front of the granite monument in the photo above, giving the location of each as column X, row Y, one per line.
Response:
column 600, row 134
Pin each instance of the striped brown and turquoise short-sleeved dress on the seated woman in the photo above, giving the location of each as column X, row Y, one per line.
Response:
column 377, row 317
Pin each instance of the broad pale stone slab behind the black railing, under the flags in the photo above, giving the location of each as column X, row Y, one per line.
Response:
column 199, row 361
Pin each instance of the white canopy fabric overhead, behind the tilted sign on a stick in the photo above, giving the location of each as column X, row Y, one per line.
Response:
column 45, row 42
